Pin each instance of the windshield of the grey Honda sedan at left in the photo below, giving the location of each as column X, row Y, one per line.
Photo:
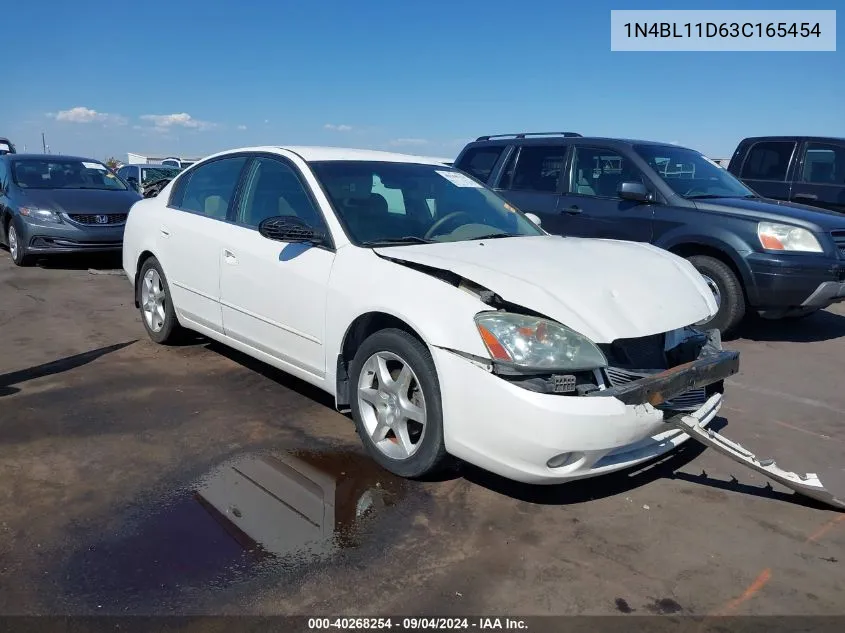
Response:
column 64, row 173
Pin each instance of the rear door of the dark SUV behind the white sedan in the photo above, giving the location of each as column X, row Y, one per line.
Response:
column 531, row 180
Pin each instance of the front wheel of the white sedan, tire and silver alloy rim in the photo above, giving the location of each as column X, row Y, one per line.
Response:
column 396, row 404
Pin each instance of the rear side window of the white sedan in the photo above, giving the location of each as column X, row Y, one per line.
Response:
column 212, row 186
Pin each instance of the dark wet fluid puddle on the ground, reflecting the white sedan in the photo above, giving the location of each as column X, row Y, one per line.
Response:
column 268, row 513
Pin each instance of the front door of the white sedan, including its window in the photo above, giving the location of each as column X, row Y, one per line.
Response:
column 273, row 294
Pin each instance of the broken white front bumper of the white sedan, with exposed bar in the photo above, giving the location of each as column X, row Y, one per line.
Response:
column 514, row 432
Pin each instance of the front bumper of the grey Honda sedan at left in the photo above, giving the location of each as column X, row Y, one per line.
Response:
column 46, row 238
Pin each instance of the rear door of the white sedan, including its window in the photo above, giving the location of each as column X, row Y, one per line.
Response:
column 189, row 241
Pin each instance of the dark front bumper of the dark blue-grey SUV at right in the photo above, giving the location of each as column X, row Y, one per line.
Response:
column 795, row 282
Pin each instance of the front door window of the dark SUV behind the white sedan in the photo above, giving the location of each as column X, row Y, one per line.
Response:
column 599, row 172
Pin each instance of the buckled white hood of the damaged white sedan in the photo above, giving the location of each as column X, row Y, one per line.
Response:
column 604, row 289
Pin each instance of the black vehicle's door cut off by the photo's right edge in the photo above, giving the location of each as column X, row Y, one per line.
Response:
column 820, row 176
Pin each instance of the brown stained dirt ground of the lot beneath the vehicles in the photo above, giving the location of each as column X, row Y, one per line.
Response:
column 108, row 441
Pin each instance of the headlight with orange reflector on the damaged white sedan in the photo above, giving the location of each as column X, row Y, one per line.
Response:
column 537, row 343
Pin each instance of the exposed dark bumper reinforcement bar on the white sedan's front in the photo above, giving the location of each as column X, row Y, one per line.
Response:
column 657, row 389
